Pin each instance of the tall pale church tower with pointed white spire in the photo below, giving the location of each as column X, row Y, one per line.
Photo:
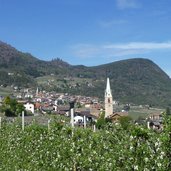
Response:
column 108, row 100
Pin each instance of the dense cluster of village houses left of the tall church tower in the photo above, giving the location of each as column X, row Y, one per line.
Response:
column 42, row 102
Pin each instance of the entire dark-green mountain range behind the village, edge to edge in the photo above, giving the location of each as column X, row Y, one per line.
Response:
column 138, row 81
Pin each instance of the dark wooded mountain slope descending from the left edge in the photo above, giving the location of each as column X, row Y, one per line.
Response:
column 21, row 68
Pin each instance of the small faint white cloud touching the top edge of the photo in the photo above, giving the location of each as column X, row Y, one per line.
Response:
column 124, row 4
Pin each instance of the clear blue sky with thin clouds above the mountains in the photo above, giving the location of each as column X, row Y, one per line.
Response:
column 89, row 32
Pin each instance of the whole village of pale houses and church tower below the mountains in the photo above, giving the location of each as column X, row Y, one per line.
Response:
column 86, row 110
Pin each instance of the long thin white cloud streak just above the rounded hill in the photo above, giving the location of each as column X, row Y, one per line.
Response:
column 112, row 50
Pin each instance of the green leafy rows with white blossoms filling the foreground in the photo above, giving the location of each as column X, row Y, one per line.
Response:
column 64, row 148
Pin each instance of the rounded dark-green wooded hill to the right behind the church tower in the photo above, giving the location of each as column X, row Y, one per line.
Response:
column 137, row 80
